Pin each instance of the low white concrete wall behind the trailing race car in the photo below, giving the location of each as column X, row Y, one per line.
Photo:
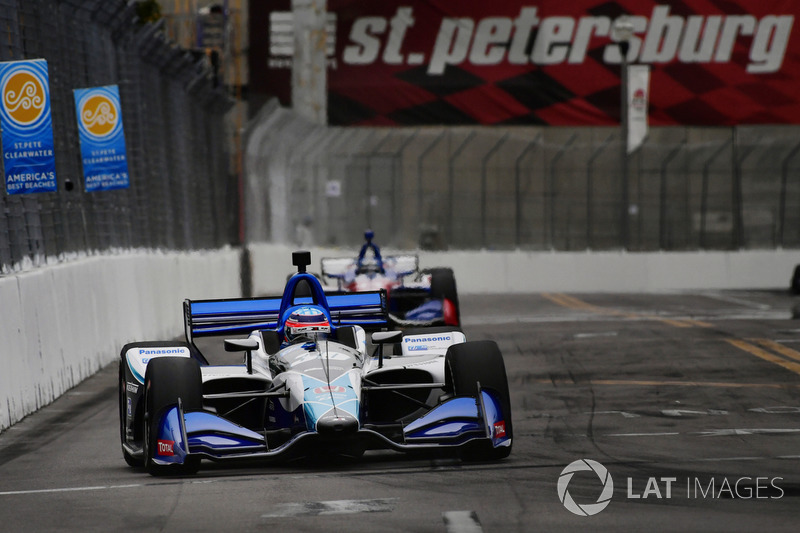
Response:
column 499, row 272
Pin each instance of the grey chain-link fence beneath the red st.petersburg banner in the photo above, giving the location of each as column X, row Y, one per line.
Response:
column 529, row 188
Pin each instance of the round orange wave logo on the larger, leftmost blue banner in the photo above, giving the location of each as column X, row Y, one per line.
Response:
column 24, row 96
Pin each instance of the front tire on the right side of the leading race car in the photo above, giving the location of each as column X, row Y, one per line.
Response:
column 470, row 363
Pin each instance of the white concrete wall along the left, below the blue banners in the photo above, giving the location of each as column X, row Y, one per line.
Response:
column 62, row 323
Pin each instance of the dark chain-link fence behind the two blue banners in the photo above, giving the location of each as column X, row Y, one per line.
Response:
column 183, row 191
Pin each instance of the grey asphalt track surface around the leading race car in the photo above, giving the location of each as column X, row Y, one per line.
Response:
column 688, row 403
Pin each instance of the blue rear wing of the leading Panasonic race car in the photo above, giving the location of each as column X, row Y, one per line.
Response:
column 243, row 315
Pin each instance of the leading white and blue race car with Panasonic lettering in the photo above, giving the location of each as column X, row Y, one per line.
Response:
column 307, row 384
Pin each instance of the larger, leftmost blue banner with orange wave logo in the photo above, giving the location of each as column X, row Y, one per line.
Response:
column 28, row 155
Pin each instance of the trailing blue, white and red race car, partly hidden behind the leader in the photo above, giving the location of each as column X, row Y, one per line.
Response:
column 415, row 297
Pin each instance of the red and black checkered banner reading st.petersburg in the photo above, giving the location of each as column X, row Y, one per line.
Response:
column 419, row 62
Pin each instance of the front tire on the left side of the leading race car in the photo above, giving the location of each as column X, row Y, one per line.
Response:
column 166, row 380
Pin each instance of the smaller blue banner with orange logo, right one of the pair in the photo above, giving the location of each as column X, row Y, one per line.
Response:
column 105, row 162
